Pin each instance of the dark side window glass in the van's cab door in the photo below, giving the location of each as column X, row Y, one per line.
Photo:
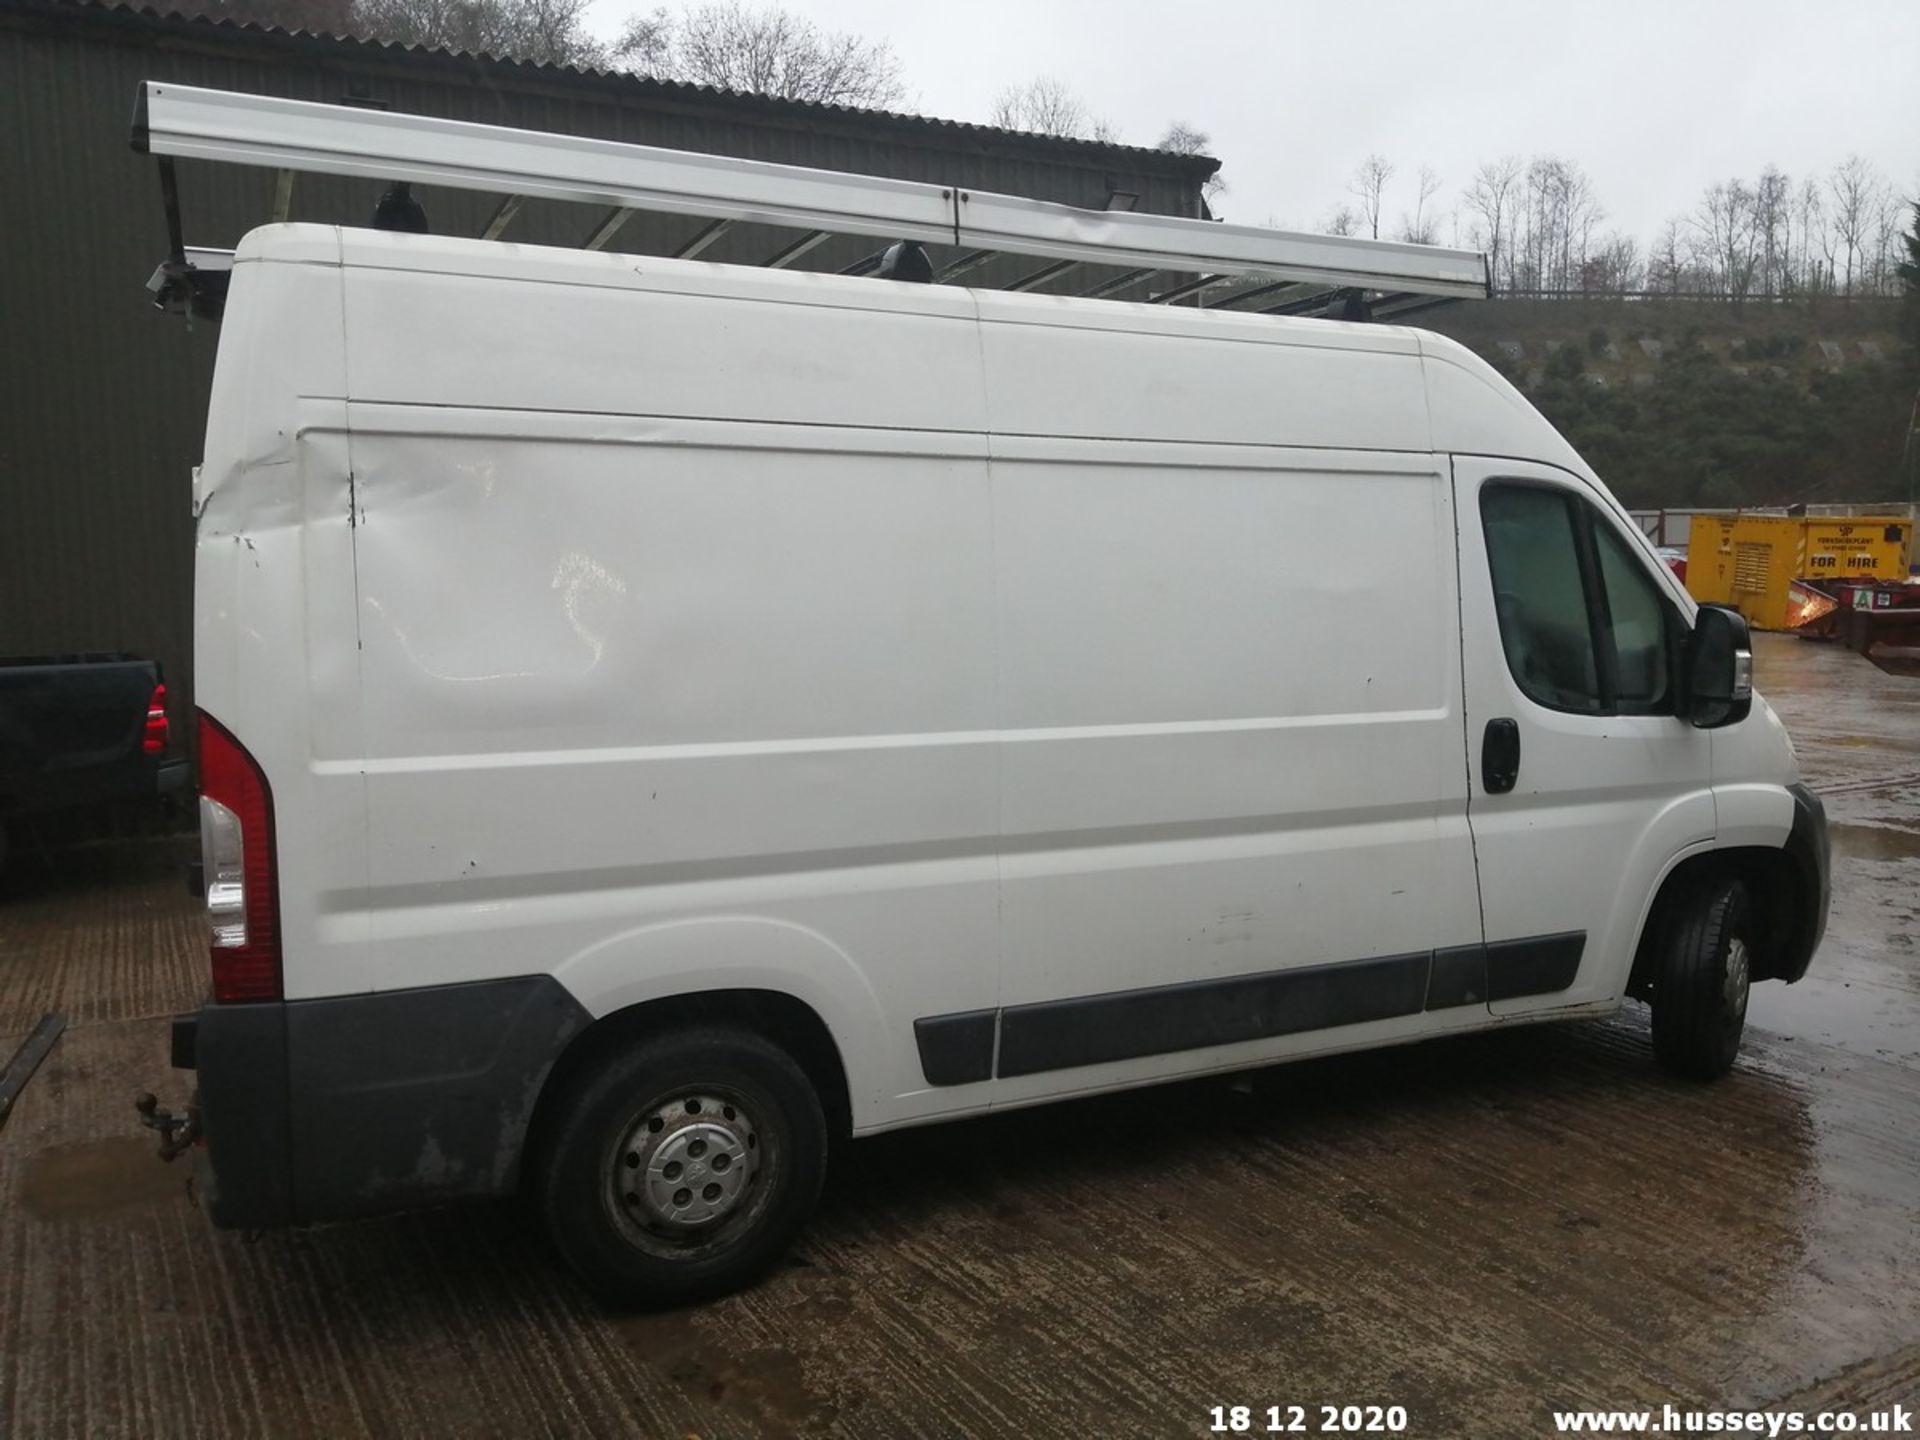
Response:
column 1581, row 621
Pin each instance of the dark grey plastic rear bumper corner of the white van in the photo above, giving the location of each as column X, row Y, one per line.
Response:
column 372, row 1103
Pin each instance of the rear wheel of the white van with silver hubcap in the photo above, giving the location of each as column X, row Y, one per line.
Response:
column 683, row 1168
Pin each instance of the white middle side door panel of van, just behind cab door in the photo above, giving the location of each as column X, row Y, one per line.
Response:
column 1234, row 750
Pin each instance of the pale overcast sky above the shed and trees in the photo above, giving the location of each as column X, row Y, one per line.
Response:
column 1656, row 99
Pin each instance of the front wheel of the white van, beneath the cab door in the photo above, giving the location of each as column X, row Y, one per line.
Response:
column 1700, row 990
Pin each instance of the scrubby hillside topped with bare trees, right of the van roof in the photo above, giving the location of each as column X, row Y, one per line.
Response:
column 1762, row 350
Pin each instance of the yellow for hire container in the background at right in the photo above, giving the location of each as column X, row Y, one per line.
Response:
column 1765, row 565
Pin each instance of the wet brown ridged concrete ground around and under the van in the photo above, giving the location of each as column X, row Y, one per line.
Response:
column 1479, row 1230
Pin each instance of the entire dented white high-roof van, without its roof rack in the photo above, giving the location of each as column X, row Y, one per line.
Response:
column 663, row 719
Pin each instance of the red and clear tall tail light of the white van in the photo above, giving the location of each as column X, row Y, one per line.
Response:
column 241, row 876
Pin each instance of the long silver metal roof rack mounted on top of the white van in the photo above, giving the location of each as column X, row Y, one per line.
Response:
column 304, row 137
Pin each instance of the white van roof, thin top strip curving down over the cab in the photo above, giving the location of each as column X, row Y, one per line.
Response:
column 1472, row 408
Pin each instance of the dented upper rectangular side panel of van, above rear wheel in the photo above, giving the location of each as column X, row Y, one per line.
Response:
column 567, row 596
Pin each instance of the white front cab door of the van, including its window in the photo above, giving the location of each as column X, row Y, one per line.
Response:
column 1583, row 779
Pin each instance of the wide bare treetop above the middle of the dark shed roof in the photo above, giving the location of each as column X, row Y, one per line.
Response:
column 765, row 53
